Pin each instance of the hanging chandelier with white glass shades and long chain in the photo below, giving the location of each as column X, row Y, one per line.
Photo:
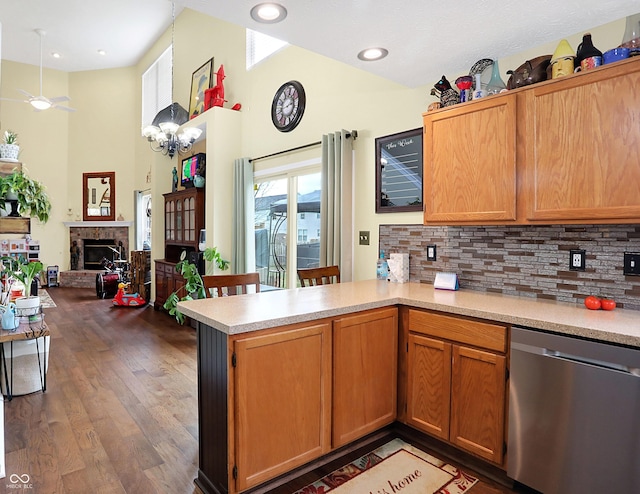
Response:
column 163, row 134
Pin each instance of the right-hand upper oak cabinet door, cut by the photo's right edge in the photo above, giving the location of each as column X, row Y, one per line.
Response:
column 583, row 137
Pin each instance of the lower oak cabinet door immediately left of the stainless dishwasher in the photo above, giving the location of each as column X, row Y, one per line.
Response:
column 478, row 402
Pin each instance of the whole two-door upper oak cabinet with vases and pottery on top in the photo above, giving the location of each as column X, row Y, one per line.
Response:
column 561, row 151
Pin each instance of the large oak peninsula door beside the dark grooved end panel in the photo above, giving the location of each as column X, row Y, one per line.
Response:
column 282, row 402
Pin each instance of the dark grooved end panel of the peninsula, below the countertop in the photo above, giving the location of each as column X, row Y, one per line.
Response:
column 213, row 475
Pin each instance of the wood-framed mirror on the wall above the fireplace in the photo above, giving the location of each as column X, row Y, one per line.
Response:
column 99, row 196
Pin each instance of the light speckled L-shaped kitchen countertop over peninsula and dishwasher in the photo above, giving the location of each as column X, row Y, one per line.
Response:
column 252, row 312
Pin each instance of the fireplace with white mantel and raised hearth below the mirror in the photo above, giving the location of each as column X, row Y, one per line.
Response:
column 94, row 239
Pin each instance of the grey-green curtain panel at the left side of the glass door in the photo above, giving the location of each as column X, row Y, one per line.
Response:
column 243, row 257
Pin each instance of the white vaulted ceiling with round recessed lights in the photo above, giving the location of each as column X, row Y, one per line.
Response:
column 423, row 37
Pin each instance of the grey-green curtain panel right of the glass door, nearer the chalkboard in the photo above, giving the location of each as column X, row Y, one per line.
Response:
column 336, row 203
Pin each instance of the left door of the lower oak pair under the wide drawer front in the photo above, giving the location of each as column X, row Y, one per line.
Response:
column 429, row 378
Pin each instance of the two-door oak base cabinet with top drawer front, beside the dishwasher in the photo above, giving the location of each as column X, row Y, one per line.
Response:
column 456, row 381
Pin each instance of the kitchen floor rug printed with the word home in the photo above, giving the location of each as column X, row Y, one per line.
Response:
column 396, row 467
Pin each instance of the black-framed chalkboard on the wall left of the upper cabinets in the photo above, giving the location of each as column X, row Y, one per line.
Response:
column 399, row 172
